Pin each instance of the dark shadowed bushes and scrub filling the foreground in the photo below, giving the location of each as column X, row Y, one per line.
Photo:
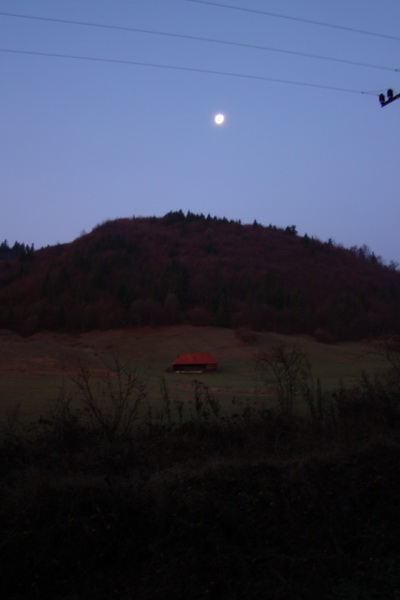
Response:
column 264, row 503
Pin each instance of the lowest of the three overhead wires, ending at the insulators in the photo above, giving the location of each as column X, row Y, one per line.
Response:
column 182, row 68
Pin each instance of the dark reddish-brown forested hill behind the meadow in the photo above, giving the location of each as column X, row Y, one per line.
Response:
column 204, row 271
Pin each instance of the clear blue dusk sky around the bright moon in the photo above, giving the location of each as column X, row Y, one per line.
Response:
column 83, row 141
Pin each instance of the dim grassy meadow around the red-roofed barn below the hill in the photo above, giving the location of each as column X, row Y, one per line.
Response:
column 34, row 369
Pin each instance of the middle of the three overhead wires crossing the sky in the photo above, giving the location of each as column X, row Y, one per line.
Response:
column 202, row 39
